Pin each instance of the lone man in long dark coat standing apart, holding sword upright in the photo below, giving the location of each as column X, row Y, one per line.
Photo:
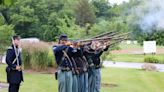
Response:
column 14, row 68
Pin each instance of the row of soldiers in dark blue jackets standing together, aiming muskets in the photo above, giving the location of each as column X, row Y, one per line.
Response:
column 78, row 66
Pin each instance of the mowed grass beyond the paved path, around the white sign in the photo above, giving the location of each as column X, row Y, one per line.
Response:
column 133, row 57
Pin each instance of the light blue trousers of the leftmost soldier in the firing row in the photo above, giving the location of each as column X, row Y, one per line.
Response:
column 65, row 81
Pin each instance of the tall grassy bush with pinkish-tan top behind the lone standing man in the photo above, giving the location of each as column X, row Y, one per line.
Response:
column 37, row 56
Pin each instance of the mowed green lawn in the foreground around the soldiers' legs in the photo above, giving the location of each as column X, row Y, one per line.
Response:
column 125, row 80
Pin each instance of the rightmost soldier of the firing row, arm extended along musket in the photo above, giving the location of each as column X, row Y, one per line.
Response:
column 93, row 53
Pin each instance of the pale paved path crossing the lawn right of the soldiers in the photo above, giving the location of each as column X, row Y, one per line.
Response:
column 160, row 67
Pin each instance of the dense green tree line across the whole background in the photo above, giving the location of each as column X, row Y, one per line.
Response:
column 47, row 19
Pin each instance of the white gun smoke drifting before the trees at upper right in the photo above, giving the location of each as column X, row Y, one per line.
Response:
column 151, row 13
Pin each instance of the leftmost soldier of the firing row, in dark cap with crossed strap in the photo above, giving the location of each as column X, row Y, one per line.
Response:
column 62, row 53
